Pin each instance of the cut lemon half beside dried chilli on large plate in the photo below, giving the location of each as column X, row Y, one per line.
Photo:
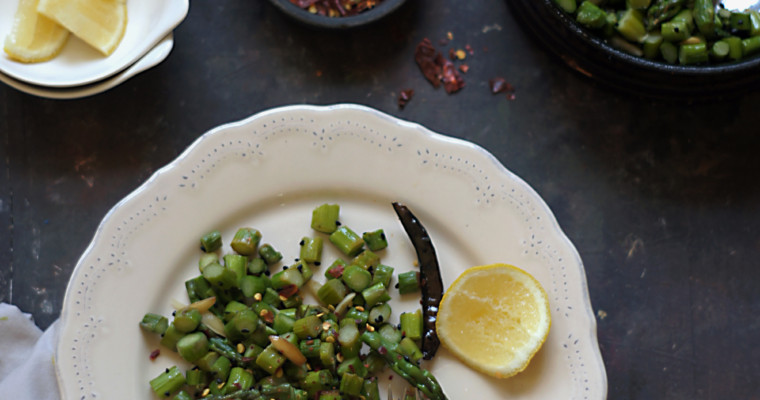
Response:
column 494, row 318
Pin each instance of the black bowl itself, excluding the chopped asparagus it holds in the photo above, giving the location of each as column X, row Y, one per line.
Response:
column 593, row 57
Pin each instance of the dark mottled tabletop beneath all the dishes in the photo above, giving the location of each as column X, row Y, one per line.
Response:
column 661, row 198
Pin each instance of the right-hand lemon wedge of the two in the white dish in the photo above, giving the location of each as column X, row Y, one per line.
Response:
column 100, row 23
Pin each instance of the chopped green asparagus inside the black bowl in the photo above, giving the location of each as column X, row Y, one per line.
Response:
column 674, row 31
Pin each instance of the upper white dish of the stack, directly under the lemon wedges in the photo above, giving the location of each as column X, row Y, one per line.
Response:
column 149, row 21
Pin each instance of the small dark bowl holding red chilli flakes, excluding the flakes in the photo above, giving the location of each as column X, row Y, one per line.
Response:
column 382, row 9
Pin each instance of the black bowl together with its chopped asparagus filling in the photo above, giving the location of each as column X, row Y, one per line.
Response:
column 698, row 48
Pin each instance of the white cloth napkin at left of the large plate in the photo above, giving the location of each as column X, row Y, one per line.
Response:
column 26, row 357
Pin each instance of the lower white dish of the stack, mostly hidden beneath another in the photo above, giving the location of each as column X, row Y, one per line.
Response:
column 154, row 56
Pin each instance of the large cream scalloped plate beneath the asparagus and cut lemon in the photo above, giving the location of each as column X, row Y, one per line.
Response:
column 269, row 171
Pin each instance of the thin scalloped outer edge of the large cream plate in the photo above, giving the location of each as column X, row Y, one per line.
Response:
column 591, row 330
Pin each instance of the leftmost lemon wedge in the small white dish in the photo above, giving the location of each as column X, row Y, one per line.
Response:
column 34, row 37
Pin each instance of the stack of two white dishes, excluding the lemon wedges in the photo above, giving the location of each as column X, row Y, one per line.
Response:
column 80, row 71
